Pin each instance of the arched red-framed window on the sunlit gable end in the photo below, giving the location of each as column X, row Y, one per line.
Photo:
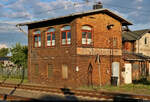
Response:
column 86, row 35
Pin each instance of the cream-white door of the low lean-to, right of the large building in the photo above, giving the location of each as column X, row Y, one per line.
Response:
column 128, row 73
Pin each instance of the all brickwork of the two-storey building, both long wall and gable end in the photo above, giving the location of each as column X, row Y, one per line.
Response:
column 59, row 55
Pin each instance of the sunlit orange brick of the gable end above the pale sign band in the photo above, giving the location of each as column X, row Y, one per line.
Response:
column 101, row 33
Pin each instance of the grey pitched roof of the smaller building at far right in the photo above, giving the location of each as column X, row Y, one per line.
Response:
column 134, row 35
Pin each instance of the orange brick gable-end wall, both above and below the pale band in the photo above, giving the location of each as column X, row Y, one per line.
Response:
column 101, row 39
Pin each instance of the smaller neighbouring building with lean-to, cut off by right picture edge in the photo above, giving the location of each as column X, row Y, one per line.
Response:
column 136, row 45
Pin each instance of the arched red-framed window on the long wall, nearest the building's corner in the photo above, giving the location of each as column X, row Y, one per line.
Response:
column 66, row 35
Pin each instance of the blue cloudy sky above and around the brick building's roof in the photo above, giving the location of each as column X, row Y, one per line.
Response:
column 13, row 12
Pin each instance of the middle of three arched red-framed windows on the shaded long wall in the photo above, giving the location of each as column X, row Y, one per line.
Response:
column 50, row 37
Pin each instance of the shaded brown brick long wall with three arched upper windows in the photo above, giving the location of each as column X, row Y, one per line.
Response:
column 56, row 56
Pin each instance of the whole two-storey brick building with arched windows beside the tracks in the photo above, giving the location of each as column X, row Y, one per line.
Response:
column 76, row 50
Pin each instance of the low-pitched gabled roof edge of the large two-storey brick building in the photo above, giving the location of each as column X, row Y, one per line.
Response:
column 106, row 11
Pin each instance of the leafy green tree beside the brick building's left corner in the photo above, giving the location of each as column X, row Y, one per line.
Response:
column 19, row 55
